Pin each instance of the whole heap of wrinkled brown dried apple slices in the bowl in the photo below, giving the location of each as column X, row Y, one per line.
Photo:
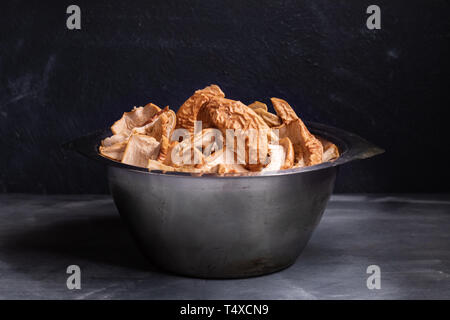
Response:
column 235, row 138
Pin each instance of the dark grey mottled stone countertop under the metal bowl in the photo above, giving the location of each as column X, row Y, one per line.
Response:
column 407, row 236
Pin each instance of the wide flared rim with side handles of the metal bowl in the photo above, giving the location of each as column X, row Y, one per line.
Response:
column 351, row 147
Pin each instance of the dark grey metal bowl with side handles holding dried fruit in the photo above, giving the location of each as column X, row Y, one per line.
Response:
column 229, row 226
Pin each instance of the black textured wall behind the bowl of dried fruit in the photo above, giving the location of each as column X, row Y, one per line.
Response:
column 389, row 86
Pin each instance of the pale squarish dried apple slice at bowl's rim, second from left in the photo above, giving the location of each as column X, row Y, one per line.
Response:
column 139, row 149
